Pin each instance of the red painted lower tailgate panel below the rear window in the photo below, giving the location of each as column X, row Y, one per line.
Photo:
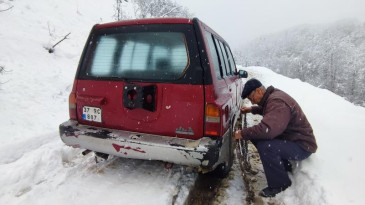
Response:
column 177, row 105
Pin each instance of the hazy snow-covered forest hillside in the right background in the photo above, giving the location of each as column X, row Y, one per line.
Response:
column 328, row 56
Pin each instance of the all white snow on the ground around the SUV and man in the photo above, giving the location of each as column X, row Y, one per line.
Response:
column 37, row 168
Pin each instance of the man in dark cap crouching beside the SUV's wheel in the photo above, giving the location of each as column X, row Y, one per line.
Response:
column 283, row 134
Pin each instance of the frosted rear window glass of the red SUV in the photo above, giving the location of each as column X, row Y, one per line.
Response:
column 153, row 55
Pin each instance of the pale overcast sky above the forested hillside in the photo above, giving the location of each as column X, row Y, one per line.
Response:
column 239, row 21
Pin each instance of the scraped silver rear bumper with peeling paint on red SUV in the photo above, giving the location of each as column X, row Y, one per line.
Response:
column 202, row 153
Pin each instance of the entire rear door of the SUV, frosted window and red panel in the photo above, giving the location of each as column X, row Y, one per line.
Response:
column 142, row 78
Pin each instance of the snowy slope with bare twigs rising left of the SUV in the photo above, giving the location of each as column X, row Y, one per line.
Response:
column 32, row 90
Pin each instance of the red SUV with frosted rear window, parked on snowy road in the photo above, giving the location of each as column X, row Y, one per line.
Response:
column 156, row 89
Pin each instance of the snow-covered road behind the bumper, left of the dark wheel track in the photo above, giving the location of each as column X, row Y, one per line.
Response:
column 45, row 171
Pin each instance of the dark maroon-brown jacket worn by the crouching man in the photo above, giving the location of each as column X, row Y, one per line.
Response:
column 282, row 119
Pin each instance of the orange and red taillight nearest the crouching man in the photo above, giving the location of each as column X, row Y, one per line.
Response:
column 212, row 120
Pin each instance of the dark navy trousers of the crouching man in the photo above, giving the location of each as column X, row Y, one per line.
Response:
column 273, row 154
